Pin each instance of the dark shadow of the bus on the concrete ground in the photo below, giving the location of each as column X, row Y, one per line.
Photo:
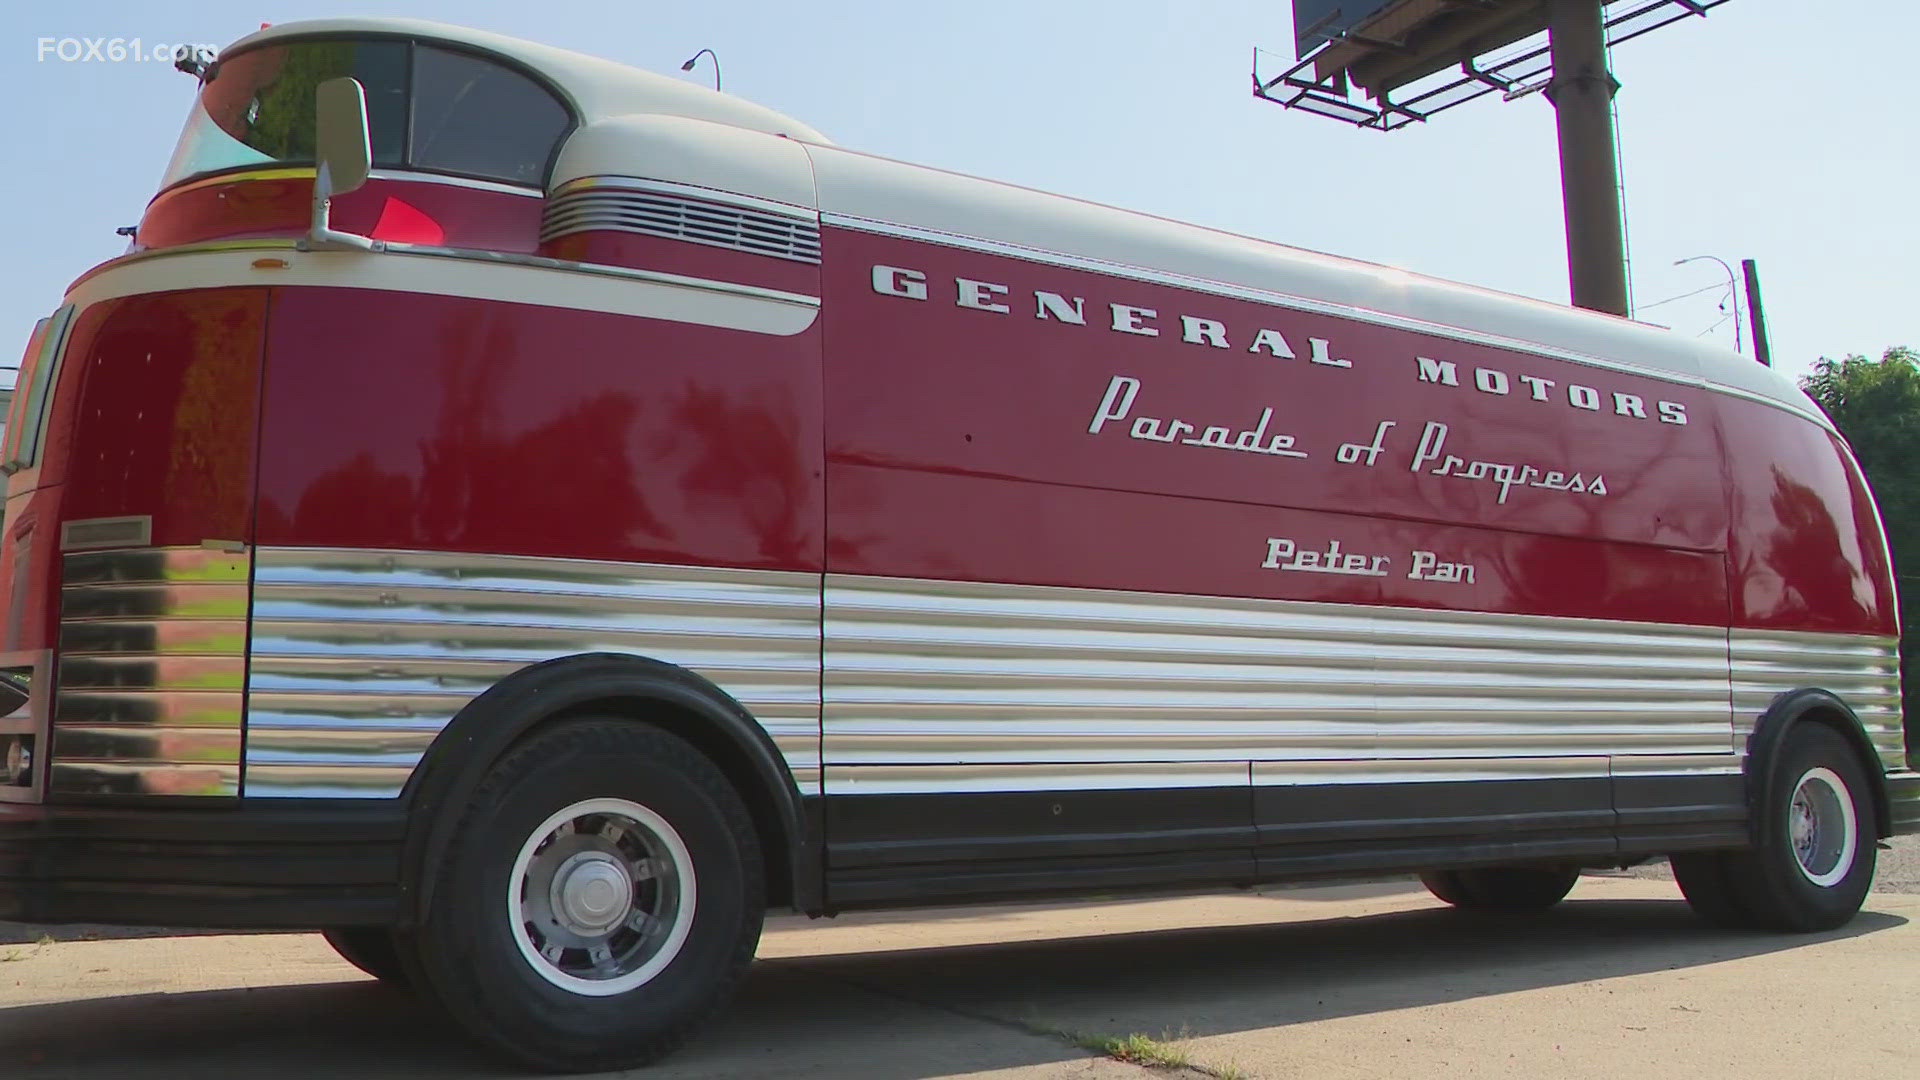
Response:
column 924, row 1014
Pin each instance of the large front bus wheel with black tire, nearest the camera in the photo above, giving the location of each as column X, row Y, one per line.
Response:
column 479, row 943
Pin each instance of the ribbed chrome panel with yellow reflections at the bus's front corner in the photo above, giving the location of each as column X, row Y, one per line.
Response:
column 153, row 674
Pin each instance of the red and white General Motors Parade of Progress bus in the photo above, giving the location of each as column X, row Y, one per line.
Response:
column 623, row 512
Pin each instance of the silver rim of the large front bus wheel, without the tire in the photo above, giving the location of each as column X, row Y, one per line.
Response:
column 602, row 896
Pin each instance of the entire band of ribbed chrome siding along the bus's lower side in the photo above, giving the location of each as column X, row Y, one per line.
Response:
column 362, row 658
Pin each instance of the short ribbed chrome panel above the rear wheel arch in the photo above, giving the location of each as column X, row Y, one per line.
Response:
column 1861, row 672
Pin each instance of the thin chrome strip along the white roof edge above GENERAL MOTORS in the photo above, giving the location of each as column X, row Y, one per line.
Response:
column 1299, row 305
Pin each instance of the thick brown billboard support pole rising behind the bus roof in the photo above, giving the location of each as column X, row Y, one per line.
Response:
column 1583, row 105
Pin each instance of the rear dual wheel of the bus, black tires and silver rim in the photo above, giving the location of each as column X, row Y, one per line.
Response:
column 1769, row 887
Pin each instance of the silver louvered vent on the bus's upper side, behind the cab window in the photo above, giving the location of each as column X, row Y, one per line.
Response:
column 661, row 210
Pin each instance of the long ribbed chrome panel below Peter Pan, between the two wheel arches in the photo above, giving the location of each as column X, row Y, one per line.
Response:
column 946, row 674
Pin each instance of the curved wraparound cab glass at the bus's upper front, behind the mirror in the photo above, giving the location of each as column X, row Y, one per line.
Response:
column 427, row 109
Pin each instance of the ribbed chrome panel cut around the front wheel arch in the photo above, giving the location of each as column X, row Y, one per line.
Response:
column 360, row 658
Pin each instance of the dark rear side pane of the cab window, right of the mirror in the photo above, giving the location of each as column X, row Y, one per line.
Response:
column 481, row 120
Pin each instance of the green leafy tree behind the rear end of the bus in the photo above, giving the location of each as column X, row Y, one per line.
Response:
column 1877, row 406
